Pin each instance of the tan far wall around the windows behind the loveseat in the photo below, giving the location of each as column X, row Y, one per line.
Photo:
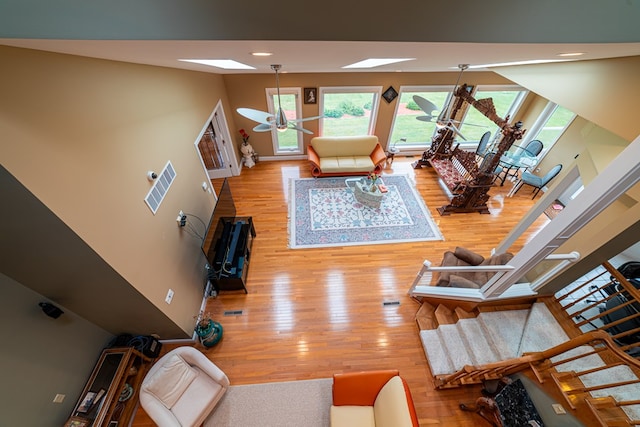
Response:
column 248, row 90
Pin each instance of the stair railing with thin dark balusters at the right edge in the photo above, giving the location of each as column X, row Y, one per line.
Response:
column 613, row 307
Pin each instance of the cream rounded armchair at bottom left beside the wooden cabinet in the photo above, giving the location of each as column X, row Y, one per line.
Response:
column 182, row 388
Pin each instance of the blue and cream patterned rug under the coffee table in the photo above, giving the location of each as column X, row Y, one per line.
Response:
column 323, row 212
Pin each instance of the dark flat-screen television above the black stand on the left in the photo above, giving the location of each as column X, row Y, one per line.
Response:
column 224, row 208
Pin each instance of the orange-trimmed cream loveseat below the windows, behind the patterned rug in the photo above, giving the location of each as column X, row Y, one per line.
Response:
column 345, row 155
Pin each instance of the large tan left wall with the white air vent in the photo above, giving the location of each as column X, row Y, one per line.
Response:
column 81, row 135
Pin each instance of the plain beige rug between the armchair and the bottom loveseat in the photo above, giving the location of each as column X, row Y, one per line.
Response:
column 282, row 404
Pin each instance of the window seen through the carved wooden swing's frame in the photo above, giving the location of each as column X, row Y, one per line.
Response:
column 506, row 100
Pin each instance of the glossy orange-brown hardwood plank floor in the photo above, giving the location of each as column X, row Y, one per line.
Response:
column 311, row 313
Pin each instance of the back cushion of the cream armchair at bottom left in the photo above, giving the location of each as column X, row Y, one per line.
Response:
column 169, row 382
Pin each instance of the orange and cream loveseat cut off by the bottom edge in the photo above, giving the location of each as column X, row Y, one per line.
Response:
column 372, row 399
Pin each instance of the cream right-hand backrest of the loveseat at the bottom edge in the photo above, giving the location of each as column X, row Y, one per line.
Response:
column 391, row 408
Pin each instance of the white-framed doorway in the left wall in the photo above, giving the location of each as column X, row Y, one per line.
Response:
column 213, row 149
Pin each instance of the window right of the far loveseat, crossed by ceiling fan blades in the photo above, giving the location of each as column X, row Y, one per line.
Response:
column 405, row 123
